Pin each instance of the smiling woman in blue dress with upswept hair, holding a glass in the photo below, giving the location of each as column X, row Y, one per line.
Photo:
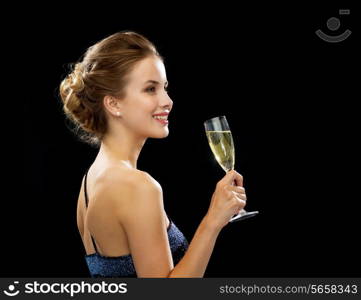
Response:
column 117, row 97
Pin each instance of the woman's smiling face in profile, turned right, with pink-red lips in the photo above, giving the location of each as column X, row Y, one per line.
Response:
column 146, row 96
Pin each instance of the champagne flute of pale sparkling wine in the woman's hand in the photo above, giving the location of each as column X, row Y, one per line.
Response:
column 221, row 142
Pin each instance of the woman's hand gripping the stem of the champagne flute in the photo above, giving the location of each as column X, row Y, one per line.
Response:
column 227, row 199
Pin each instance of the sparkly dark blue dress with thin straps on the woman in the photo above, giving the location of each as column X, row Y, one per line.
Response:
column 122, row 266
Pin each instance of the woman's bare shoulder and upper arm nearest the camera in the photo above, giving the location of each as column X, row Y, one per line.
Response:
column 136, row 204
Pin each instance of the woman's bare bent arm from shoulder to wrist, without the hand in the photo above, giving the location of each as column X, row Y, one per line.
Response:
column 140, row 212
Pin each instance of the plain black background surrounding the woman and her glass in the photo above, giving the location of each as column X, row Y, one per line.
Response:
column 289, row 97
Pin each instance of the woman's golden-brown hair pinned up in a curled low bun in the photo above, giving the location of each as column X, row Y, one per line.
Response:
column 103, row 71
